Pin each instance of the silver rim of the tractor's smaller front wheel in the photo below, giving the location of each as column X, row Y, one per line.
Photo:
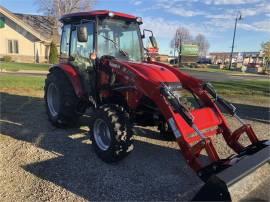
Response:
column 102, row 134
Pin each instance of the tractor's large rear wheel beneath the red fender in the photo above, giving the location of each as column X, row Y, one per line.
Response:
column 61, row 100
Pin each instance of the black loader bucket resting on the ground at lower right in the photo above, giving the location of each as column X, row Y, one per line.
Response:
column 225, row 185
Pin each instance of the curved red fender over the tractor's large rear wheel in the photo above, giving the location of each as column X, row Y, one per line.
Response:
column 73, row 76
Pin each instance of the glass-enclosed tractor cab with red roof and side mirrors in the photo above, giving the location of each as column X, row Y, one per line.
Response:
column 101, row 33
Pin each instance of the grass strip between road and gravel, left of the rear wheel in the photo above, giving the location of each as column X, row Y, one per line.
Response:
column 19, row 82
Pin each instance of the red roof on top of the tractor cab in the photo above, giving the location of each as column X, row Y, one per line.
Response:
column 71, row 16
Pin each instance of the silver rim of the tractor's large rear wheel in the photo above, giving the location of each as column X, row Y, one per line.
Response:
column 53, row 99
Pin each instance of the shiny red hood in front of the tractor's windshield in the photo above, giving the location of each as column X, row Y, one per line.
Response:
column 154, row 72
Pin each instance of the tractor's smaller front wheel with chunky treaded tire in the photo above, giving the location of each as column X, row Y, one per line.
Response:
column 111, row 132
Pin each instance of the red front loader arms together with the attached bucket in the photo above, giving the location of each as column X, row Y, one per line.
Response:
column 226, row 179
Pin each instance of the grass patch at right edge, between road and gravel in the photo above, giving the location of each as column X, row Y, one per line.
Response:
column 254, row 88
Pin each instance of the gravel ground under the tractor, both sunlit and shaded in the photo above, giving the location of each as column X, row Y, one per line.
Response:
column 42, row 163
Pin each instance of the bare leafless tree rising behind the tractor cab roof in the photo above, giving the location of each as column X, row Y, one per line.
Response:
column 56, row 8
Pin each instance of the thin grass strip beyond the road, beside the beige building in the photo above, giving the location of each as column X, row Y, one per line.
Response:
column 14, row 66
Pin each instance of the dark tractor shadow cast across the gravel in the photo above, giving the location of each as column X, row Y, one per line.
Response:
column 150, row 172
